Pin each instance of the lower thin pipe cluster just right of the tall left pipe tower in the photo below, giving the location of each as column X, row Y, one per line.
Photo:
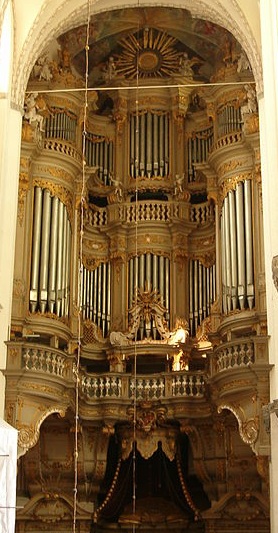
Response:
column 96, row 296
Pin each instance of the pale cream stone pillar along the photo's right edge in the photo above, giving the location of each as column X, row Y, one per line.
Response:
column 268, row 108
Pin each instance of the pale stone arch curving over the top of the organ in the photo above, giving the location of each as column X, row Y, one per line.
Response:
column 46, row 27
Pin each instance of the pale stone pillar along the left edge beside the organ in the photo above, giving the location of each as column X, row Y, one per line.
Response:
column 10, row 140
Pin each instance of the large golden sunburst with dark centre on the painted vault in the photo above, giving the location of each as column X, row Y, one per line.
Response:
column 152, row 54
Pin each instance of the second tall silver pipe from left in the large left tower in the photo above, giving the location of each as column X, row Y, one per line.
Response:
column 44, row 256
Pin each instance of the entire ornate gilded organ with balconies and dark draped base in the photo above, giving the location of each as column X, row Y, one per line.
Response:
column 137, row 358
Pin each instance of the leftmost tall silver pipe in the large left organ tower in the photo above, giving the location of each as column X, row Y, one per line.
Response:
column 36, row 248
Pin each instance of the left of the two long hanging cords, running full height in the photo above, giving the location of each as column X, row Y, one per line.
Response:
column 82, row 207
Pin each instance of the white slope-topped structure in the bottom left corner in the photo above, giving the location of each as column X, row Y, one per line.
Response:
column 8, row 456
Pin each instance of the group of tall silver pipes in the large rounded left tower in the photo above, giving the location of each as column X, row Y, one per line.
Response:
column 51, row 255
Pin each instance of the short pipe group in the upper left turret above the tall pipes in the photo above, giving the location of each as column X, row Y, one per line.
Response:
column 61, row 124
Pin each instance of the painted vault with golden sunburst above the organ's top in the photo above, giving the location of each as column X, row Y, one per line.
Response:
column 150, row 42
